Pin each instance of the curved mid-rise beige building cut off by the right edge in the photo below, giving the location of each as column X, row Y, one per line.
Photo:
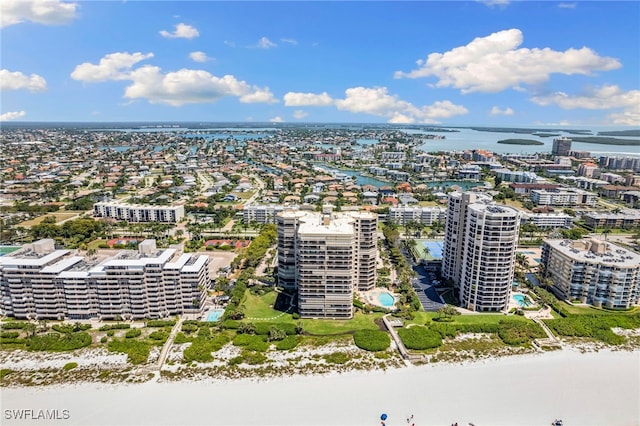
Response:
column 592, row 271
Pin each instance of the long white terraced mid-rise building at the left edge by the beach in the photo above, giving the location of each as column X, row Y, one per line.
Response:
column 40, row 282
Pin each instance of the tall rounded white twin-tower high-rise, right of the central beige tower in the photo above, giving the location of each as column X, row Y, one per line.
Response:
column 479, row 250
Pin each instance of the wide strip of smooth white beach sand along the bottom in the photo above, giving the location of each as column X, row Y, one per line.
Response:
column 600, row 388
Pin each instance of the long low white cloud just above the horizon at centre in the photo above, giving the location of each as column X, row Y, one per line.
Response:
column 377, row 102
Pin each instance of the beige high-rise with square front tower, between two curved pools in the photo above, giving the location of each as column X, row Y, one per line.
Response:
column 325, row 257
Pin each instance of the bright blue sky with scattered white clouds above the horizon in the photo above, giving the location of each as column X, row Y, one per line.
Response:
column 494, row 63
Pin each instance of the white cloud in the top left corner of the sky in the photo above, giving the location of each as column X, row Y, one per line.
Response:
column 47, row 12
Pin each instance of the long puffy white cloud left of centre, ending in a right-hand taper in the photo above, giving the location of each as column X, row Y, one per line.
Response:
column 188, row 86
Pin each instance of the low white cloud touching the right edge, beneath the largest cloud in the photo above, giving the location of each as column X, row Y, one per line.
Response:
column 599, row 98
